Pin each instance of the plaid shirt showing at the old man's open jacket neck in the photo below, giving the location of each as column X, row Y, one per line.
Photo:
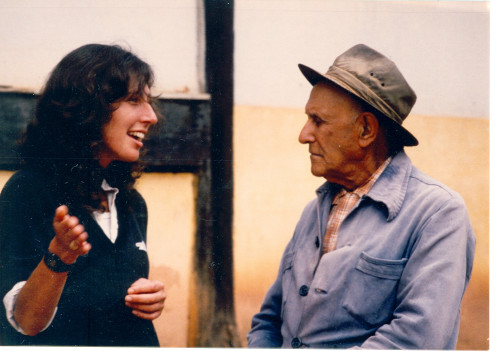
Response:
column 342, row 205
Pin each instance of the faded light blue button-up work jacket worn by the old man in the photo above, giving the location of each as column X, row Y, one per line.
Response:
column 396, row 280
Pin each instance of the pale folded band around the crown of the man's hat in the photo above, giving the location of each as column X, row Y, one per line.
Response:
column 352, row 84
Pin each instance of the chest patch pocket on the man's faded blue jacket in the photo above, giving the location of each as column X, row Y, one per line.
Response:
column 371, row 290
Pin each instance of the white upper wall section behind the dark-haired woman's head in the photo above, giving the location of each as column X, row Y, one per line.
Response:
column 35, row 35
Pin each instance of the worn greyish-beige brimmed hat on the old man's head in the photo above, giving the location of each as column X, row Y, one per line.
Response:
column 375, row 79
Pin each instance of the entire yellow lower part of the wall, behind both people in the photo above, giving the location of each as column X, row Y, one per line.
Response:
column 272, row 185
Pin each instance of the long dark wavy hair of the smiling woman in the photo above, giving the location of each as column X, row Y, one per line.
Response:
column 75, row 104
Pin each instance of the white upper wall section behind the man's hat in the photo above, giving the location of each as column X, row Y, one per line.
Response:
column 442, row 48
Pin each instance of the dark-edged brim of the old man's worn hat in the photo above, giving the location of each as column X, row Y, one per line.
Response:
column 397, row 130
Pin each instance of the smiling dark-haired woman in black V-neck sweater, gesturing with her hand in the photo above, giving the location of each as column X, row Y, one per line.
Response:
column 73, row 261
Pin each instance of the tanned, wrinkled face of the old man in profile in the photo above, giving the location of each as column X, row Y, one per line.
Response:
column 332, row 133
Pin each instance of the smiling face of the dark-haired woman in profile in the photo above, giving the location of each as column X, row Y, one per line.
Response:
column 123, row 135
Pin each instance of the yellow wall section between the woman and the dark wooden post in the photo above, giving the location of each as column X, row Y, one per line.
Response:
column 171, row 229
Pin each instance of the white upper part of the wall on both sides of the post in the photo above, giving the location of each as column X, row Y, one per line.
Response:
column 442, row 47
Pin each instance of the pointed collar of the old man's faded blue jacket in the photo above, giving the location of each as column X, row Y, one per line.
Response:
column 389, row 189
